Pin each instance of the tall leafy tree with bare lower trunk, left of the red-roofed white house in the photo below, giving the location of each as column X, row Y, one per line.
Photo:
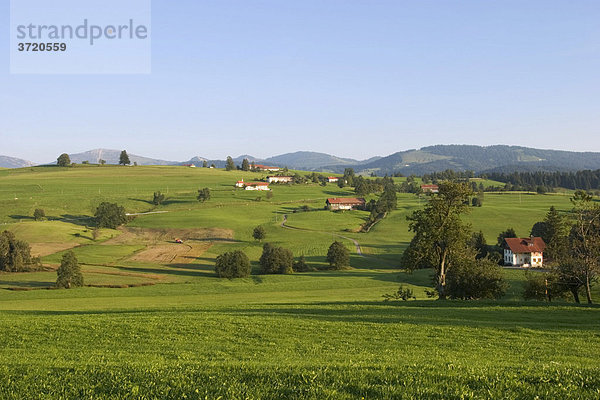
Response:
column 441, row 237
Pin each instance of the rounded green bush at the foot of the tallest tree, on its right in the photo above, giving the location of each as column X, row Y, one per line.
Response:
column 470, row 279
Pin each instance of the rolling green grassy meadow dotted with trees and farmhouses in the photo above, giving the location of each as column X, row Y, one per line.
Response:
column 155, row 322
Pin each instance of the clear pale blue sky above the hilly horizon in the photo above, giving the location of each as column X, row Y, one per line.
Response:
column 345, row 77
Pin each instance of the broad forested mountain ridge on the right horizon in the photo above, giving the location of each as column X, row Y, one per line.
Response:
column 476, row 158
